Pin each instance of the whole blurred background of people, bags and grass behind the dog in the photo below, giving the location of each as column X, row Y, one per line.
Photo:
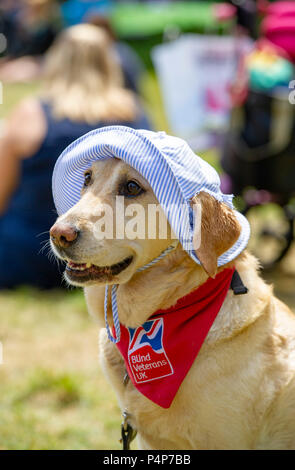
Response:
column 218, row 74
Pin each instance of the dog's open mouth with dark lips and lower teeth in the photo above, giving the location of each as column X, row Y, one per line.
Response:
column 83, row 272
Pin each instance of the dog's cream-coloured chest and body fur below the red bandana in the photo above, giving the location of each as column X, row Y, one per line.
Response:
column 240, row 391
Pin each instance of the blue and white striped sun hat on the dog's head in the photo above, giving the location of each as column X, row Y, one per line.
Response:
column 173, row 170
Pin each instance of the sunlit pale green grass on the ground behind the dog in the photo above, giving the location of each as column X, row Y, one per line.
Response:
column 53, row 394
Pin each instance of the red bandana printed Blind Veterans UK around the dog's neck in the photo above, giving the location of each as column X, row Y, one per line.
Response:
column 159, row 354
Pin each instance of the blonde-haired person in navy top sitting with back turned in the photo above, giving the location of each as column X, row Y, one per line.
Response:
column 82, row 91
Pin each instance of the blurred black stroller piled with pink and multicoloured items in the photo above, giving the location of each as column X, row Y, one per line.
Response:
column 259, row 152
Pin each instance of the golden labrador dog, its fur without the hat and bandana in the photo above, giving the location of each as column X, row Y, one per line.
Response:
column 240, row 391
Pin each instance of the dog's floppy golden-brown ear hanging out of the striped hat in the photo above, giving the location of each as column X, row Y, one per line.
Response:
column 216, row 231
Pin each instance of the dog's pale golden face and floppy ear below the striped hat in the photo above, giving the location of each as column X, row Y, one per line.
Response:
column 118, row 226
